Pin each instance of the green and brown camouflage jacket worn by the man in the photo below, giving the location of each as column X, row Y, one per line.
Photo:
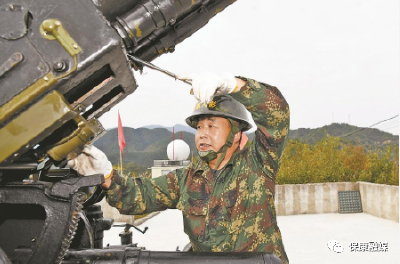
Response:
column 234, row 211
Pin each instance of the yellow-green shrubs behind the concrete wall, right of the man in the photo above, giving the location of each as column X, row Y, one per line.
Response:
column 332, row 160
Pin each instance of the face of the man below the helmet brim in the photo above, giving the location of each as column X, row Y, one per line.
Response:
column 212, row 133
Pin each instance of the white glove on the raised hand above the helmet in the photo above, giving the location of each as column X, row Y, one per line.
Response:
column 207, row 84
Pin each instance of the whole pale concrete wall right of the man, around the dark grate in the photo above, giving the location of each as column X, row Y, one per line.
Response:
column 377, row 199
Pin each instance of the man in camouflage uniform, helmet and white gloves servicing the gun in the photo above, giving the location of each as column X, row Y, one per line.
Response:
column 227, row 199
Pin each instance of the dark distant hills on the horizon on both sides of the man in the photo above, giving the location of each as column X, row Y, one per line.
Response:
column 145, row 144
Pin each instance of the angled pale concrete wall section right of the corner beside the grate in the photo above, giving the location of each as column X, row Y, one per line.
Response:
column 380, row 200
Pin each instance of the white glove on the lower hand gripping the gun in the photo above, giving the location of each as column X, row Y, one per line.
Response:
column 90, row 161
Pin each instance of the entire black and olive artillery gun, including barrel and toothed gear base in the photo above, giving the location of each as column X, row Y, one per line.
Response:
column 63, row 64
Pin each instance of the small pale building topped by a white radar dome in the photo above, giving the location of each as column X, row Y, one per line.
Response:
column 178, row 152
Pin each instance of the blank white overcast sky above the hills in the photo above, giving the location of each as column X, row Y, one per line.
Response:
column 334, row 61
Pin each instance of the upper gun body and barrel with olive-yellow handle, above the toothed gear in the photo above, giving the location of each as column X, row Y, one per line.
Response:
column 63, row 64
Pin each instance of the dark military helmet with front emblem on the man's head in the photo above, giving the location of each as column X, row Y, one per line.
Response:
column 222, row 106
